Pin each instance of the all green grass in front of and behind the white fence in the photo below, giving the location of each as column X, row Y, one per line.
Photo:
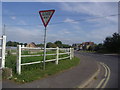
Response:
column 34, row 72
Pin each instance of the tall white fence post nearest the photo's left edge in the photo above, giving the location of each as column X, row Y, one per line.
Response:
column 3, row 51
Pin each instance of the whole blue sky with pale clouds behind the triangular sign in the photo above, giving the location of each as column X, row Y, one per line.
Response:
column 72, row 22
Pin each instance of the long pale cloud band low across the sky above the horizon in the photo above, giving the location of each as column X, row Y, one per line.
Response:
column 72, row 35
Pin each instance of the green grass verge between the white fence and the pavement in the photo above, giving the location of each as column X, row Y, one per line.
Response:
column 31, row 73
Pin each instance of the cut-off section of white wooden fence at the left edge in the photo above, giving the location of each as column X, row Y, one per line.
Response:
column 2, row 49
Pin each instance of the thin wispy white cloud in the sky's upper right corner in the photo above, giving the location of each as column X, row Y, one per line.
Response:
column 96, row 9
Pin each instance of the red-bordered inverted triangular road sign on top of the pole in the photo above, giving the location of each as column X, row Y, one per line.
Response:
column 46, row 16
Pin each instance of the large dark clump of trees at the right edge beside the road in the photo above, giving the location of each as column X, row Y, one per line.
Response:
column 111, row 44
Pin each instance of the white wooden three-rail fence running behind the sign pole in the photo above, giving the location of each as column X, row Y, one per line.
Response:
column 69, row 51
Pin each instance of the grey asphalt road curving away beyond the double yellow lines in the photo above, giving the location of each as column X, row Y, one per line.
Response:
column 111, row 60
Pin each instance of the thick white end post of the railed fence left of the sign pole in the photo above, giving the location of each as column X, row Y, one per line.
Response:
column 19, row 59
